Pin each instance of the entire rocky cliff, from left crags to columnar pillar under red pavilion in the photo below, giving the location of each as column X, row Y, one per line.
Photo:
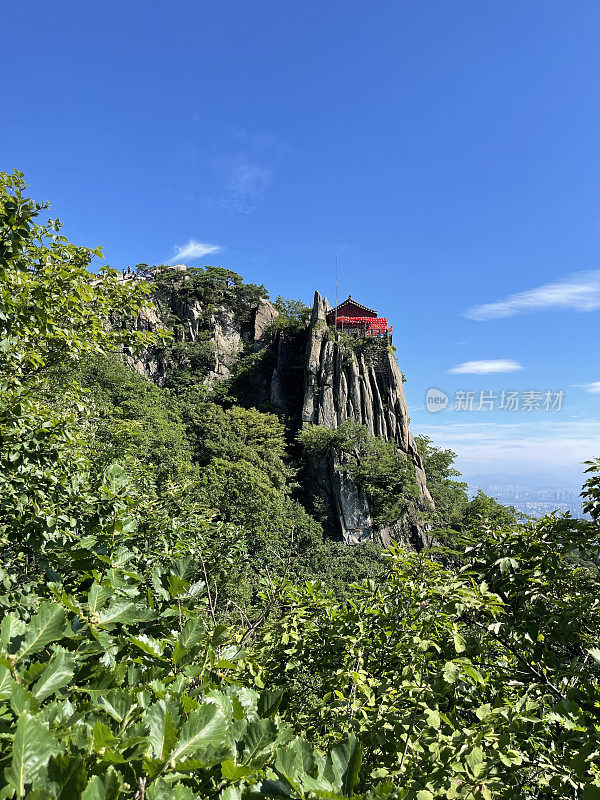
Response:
column 306, row 376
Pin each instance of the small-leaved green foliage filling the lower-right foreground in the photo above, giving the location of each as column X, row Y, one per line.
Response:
column 479, row 681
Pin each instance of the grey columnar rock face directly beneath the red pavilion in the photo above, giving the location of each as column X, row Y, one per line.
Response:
column 367, row 389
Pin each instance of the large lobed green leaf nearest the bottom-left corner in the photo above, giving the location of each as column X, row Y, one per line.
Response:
column 32, row 748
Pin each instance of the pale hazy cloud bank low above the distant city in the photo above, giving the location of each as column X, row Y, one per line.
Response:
column 520, row 448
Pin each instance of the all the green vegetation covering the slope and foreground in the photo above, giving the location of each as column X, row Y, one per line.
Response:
column 176, row 625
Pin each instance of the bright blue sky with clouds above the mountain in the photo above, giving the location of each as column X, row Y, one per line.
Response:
column 448, row 151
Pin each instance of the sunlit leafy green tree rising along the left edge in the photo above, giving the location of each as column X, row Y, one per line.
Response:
column 53, row 312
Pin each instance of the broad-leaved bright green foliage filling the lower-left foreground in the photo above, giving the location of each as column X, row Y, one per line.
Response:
column 105, row 692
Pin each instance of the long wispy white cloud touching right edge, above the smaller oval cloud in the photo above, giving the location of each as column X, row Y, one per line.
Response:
column 579, row 292
